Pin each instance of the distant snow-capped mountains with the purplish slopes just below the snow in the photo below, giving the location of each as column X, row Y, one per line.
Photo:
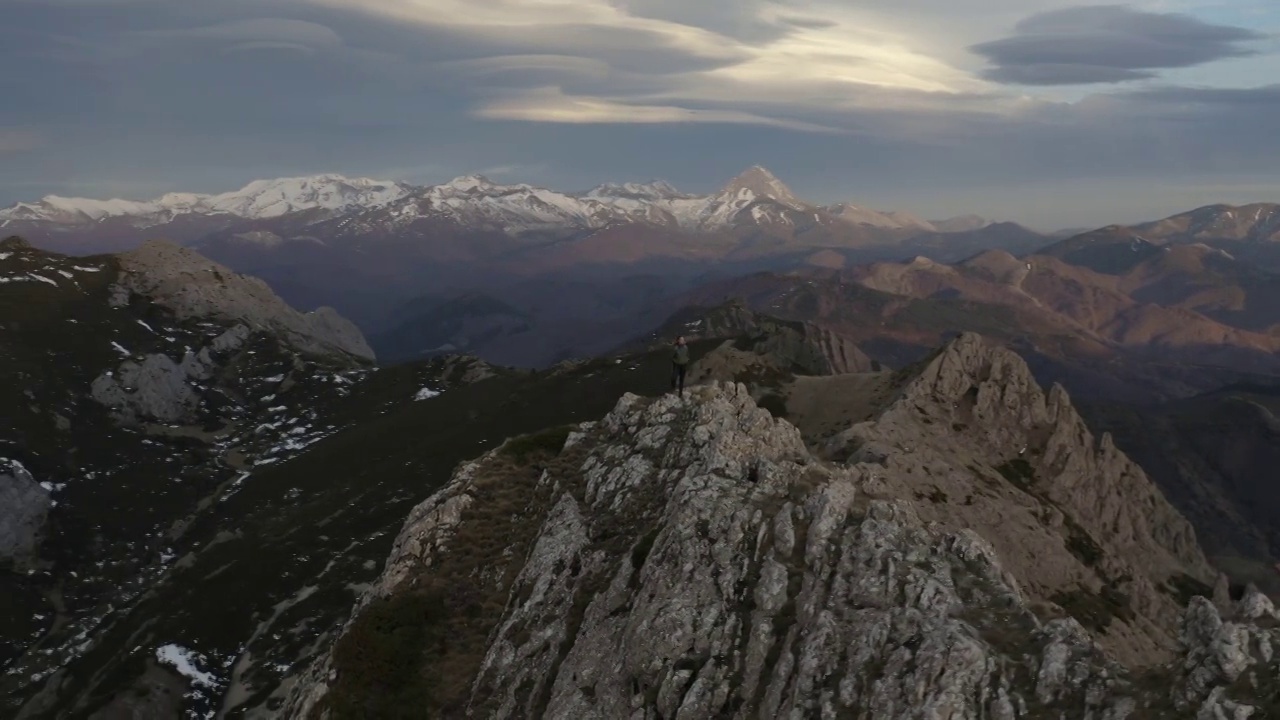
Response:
column 442, row 221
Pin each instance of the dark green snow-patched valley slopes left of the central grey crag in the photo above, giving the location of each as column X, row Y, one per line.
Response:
column 225, row 528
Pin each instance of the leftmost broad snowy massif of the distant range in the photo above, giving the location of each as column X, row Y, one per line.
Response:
column 257, row 200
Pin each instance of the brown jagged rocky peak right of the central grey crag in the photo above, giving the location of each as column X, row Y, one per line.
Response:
column 979, row 443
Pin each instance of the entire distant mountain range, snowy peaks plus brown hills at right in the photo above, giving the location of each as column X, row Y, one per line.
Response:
column 528, row 276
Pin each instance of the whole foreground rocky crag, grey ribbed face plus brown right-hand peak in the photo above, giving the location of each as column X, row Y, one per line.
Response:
column 696, row 559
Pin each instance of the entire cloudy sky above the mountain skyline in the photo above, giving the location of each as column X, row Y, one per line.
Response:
column 1045, row 112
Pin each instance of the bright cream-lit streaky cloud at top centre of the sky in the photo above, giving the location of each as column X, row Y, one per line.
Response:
column 675, row 61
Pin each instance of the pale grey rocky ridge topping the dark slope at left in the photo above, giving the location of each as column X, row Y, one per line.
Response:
column 193, row 286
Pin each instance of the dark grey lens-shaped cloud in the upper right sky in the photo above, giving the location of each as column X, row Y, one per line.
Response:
column 1108, row 44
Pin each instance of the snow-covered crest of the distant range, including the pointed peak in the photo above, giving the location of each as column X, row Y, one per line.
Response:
column 757, row 195
